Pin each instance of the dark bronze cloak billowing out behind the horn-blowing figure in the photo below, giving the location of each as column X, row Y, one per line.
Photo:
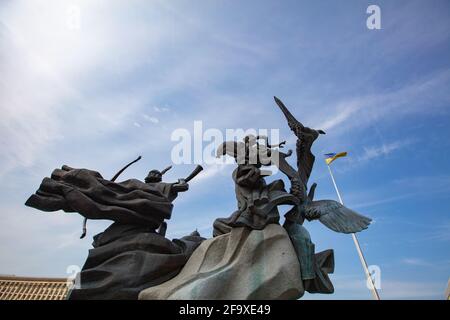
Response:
column 88, row 193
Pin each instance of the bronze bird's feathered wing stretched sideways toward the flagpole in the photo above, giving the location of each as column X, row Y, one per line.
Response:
column 336, row 216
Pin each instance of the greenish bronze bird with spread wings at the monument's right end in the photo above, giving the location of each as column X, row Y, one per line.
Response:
column 314, row 267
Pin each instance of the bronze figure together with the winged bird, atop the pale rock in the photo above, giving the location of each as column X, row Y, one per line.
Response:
column 258, row 201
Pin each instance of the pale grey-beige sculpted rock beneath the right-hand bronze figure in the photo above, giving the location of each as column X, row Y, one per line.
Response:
column 242, row 264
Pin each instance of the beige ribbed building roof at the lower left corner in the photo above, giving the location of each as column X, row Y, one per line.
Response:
column 27, row 288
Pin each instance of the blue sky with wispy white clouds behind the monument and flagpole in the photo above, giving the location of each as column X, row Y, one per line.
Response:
column 116, row 85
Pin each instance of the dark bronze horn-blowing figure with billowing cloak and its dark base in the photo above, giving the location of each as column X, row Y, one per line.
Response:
column 132, row 253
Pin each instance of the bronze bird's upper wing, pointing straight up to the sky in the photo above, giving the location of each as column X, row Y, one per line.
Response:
column 305, row 138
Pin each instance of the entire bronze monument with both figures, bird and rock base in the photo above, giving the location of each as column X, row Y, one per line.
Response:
column 250, row 256
